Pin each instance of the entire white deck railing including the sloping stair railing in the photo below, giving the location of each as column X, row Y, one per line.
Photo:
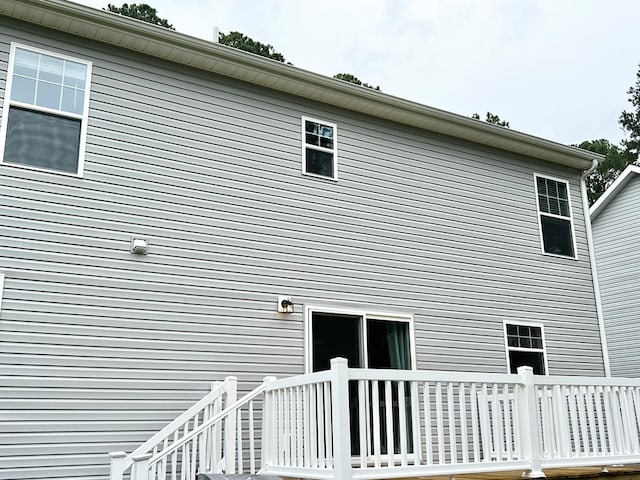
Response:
column 346, row 424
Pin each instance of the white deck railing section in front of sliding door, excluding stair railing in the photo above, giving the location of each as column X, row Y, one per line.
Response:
column 365, row 424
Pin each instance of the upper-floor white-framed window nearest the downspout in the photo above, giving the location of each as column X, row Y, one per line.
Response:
column 557, row 235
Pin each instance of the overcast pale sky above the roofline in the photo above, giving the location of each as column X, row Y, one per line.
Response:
column 558, row 69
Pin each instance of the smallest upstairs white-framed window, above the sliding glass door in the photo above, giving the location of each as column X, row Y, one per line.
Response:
column 319, row 148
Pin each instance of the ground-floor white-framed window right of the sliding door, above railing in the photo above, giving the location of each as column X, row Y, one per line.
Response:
column 525, row 346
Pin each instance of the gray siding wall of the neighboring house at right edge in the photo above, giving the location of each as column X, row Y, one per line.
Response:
column 616, row 233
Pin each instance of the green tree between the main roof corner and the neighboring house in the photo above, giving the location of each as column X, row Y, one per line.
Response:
column 616, row 160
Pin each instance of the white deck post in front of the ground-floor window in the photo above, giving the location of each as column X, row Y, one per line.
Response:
column 529, row 425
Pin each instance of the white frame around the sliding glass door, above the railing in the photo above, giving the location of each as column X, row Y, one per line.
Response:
column 364, row 314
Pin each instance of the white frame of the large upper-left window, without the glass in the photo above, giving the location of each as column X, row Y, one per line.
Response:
column 83, row 118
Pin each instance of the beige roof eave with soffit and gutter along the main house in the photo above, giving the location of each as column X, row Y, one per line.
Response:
column 177, row 47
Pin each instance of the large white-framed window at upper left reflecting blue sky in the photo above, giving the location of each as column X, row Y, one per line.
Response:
column 44, row 121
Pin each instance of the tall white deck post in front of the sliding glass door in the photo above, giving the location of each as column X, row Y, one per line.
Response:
column 341, row 425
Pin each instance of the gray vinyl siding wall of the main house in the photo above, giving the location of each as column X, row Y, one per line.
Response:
column 100, row 348
